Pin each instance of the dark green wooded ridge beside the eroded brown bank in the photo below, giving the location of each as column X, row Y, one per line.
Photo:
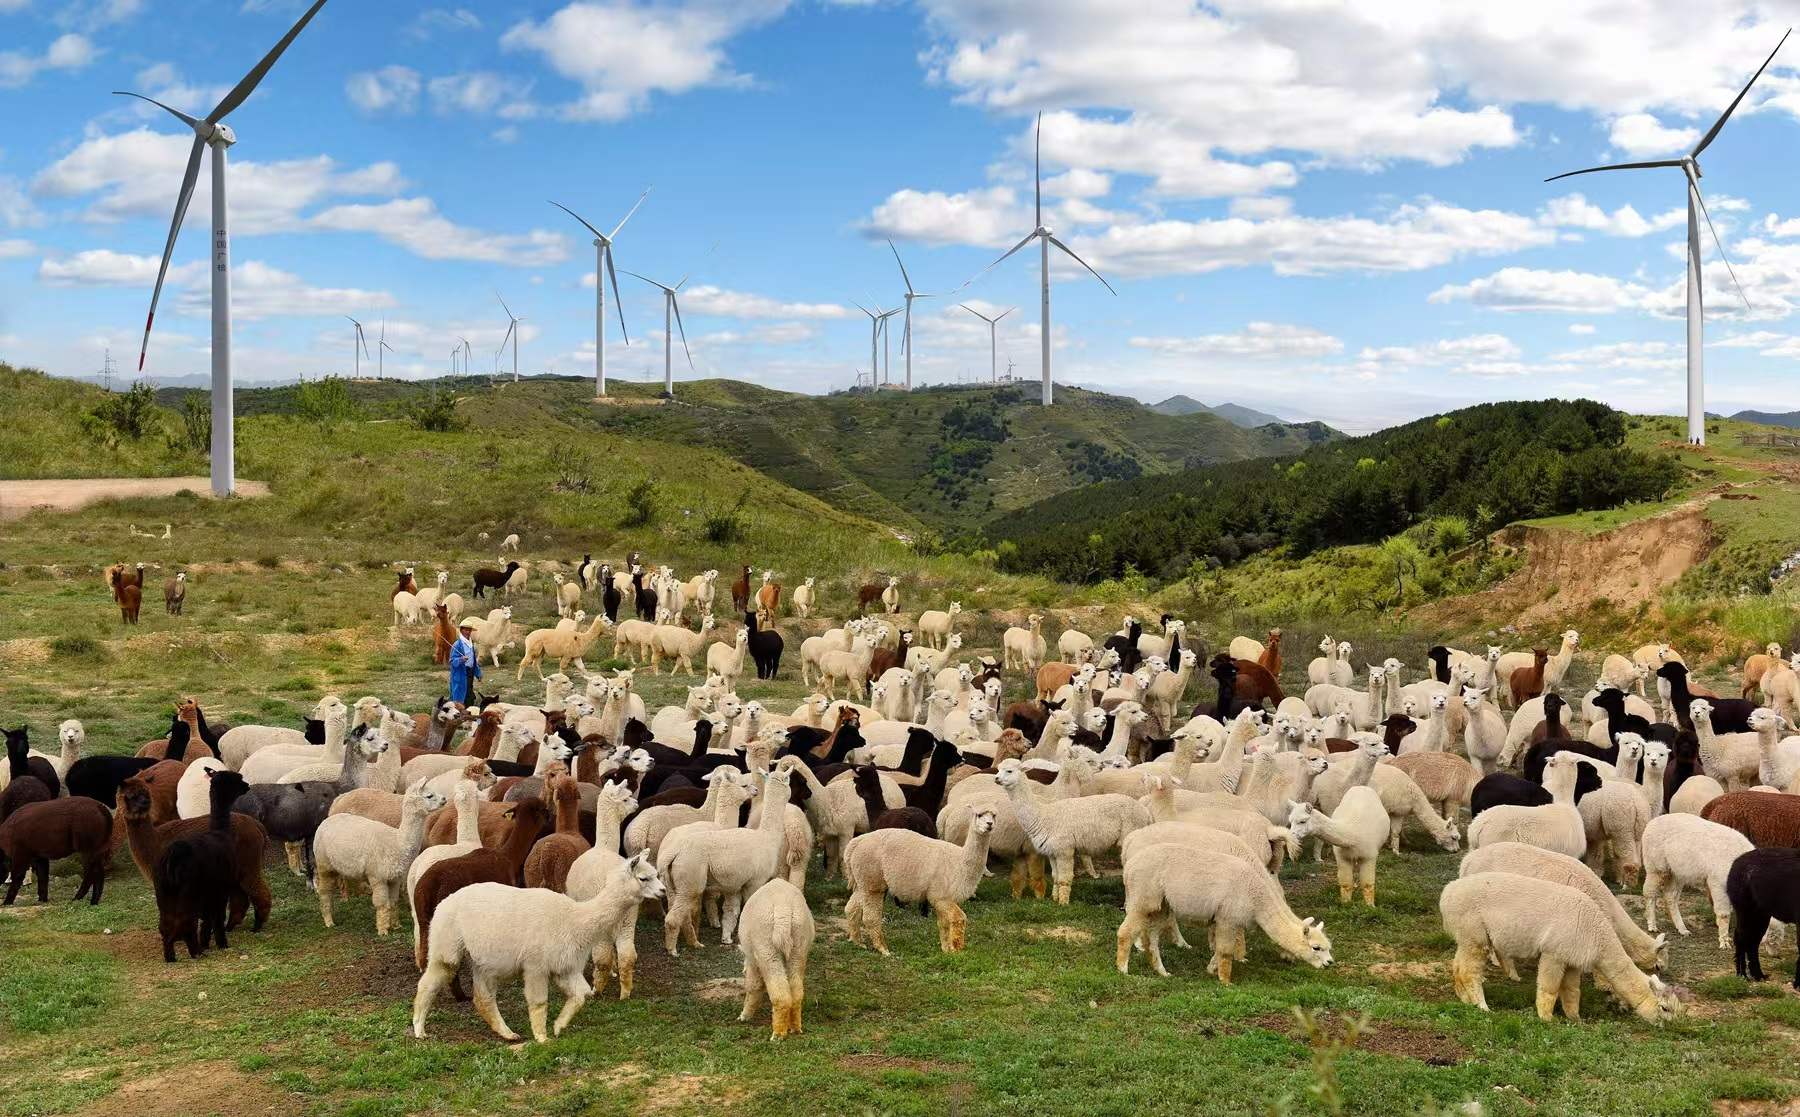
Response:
column 1484, row 467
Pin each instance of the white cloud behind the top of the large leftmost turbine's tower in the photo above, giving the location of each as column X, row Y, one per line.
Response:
column 138, row 175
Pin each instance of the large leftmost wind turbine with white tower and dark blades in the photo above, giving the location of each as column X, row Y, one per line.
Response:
column 211, row 132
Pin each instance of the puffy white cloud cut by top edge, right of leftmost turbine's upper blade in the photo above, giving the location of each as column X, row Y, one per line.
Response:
column 625, row 51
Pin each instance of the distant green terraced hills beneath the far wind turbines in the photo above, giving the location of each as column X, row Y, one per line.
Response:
column 946, row 460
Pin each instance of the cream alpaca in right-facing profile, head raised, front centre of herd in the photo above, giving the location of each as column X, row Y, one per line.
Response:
column 915, row 870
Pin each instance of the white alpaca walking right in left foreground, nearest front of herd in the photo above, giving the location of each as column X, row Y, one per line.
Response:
column 534, row 933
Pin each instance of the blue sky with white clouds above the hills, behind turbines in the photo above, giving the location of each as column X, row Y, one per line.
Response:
column 1326, row 211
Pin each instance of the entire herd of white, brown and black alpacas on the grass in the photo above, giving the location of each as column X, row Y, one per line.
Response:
column 530, row 839
